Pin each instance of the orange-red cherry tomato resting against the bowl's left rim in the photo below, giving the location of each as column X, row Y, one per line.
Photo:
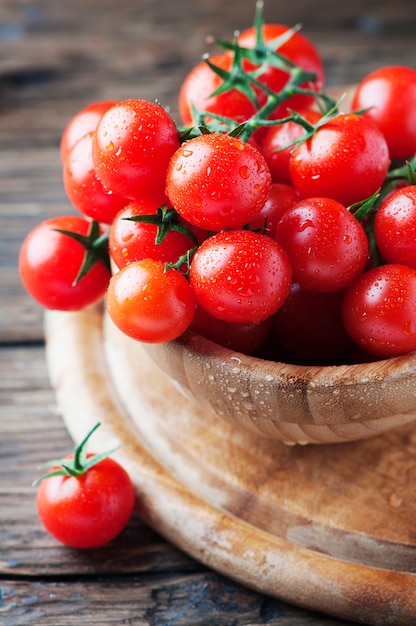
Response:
column 150, row 304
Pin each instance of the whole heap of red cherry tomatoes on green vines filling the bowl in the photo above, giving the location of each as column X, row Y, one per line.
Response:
column 270, row 220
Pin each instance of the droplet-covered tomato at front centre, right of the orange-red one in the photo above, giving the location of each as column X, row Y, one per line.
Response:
column 240, row 276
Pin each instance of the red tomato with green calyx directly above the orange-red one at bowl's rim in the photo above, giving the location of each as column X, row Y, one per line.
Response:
column 134, row 241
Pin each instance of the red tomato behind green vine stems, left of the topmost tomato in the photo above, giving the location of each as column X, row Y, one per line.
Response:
column 198, row 86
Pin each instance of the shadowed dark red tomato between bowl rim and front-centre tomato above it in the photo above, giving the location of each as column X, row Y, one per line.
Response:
column 245, row 338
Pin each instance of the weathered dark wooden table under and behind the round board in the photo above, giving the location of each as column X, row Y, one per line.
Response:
column 55, row 57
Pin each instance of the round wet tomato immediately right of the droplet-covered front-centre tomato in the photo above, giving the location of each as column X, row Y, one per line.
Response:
column 327, row 247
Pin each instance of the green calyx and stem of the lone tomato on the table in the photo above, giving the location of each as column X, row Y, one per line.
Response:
column 78, row 464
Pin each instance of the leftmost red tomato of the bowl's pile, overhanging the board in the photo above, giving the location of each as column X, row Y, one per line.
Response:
column 49, row 263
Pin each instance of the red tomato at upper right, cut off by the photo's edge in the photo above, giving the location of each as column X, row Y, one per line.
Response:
column 389, row 94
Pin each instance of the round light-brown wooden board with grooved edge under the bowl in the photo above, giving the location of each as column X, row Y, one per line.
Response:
column 326, row 527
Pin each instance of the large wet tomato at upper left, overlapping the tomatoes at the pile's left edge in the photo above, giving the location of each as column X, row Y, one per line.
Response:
column 132, row 146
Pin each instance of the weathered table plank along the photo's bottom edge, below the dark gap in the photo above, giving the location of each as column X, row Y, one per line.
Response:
column 203, row 599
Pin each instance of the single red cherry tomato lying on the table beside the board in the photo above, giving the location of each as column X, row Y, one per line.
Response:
column 89, row 505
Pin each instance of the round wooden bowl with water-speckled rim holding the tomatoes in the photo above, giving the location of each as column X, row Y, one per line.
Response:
column 292, row 403
